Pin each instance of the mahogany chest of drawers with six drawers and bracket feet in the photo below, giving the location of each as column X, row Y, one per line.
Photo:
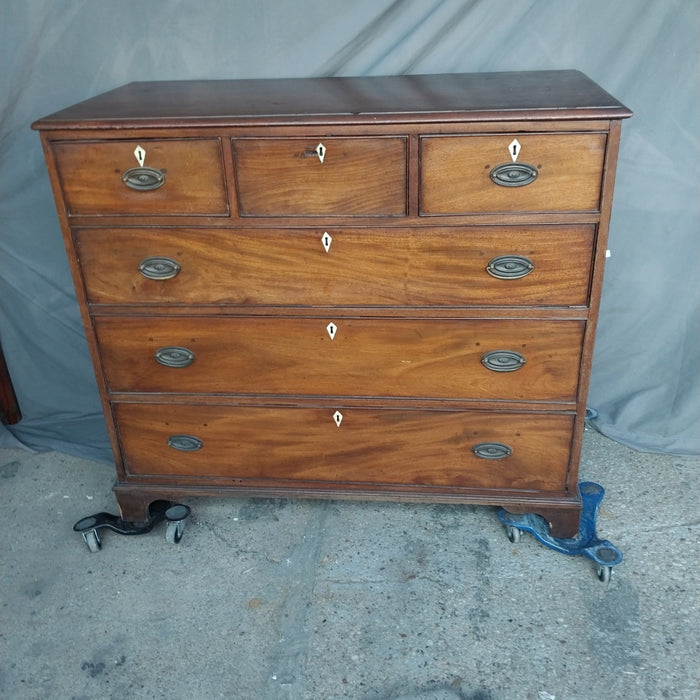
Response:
column 342, row 287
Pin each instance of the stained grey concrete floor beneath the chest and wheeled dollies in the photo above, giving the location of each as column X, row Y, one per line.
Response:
column 268, row 599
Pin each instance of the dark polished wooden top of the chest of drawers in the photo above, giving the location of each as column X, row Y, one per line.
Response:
column 538, row 95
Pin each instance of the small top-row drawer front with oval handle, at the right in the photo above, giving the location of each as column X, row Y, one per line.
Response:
column 473, row 174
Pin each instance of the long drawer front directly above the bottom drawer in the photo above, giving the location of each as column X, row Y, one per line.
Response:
column 432, row 358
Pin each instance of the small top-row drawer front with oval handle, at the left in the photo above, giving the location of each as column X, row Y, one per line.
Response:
column 172, row 177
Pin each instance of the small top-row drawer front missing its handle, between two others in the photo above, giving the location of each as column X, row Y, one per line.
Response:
column 287, row 177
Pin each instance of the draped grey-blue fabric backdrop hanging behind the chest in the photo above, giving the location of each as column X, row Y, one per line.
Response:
column 56, row 52
